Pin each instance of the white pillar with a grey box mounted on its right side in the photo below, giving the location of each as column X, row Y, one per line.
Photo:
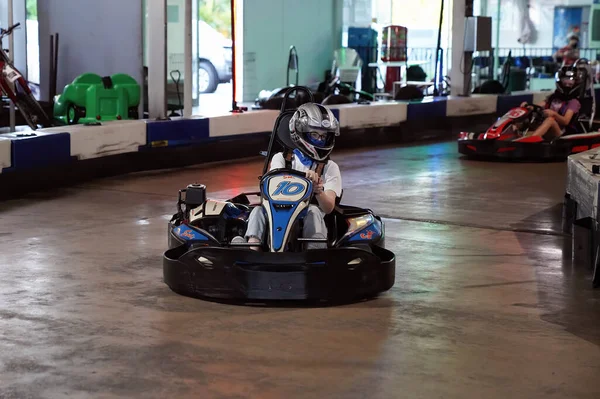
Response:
column 461, row 61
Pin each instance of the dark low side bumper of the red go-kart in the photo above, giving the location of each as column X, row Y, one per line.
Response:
column 511, row 150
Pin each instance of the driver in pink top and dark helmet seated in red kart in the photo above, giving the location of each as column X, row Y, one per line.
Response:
column 562, row 106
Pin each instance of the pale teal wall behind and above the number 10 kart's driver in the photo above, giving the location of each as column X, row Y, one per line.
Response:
column 270, row 27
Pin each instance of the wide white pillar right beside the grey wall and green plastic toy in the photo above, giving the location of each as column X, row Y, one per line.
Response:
column 157, row 59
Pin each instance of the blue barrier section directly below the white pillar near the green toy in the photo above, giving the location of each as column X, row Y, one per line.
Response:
column 176, row 133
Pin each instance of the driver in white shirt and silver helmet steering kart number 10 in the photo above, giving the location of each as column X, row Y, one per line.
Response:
column 313, row 129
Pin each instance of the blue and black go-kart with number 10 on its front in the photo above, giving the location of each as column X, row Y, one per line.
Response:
column 203, row 262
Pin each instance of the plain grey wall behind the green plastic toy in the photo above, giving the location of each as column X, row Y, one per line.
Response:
column 103, row 37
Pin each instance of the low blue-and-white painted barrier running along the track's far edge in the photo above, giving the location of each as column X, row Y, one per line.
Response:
column 118, row 137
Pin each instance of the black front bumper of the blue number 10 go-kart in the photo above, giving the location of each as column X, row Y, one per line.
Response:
column 242, row 274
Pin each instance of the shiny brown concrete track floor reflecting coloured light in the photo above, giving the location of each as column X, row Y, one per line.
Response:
column 486, row 303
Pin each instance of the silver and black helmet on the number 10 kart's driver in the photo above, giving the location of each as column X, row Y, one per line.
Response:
column 313, row 129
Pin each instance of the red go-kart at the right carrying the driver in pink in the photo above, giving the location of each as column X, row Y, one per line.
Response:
column 507, row 138
